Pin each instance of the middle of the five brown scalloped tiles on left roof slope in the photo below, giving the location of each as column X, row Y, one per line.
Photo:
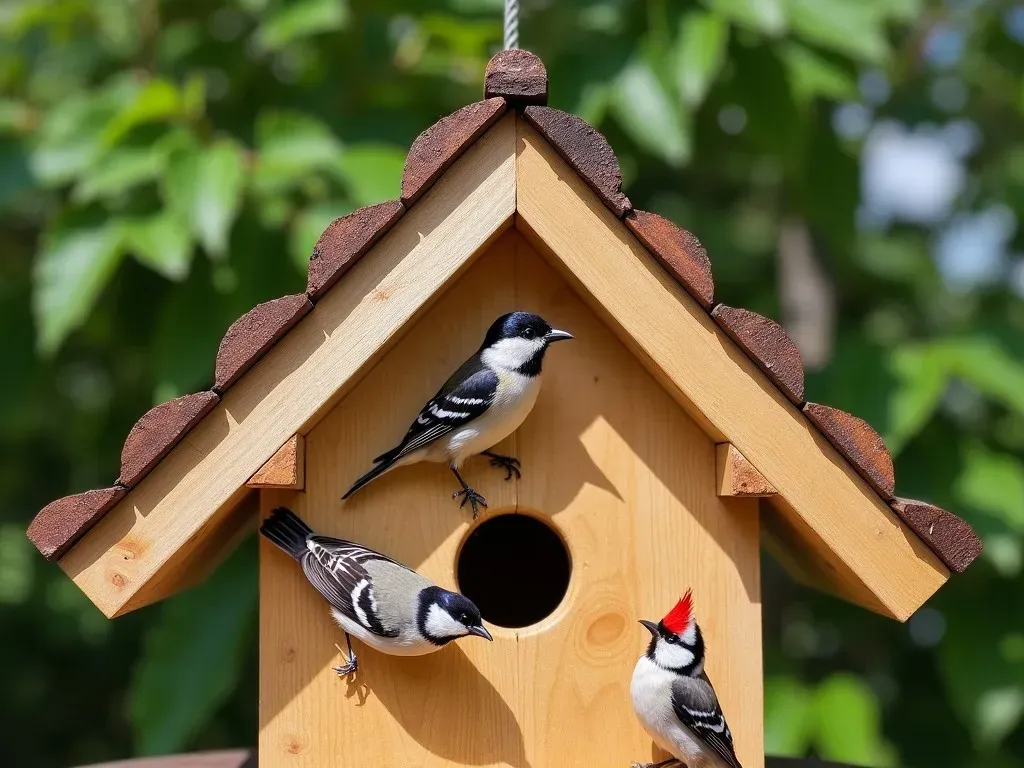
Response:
column 255, row 332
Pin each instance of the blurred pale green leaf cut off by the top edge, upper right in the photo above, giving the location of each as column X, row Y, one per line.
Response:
column 856, row 29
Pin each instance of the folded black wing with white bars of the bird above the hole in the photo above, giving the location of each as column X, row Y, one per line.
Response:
column 464, row 398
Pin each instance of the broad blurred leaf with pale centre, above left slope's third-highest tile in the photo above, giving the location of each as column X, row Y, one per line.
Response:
column 290, row 148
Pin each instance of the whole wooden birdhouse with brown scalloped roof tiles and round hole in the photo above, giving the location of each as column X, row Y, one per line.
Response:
column 670, row 440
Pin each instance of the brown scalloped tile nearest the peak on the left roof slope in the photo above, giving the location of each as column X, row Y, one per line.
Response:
column 435, row 150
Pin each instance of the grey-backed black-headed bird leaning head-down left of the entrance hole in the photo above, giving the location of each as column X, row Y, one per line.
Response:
column 386, row 605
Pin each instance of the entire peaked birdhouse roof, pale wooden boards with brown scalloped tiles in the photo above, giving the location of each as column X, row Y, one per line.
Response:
column 475, row 174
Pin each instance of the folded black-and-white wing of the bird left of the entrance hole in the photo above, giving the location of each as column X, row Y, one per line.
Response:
column 337, row 570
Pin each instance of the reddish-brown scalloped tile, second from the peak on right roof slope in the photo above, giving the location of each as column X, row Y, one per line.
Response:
column 678, row 251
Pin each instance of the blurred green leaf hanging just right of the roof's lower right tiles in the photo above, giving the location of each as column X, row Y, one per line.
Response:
column 921, row 376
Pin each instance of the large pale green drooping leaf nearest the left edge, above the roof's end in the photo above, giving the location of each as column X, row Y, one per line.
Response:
column 71, row 273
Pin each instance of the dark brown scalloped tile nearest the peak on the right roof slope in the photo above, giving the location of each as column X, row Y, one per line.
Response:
column 586, row 151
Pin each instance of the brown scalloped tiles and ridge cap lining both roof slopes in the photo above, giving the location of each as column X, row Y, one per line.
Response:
column 517, row 81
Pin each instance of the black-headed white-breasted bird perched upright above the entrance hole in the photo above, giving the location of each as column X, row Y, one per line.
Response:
column 480, row 406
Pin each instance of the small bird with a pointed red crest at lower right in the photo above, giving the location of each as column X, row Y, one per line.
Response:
column 674, row 699
